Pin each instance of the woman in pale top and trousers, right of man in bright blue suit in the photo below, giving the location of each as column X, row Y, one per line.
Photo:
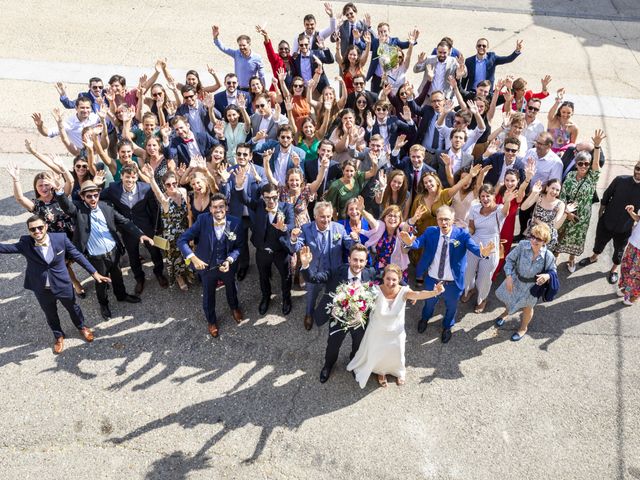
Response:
column 485, row 223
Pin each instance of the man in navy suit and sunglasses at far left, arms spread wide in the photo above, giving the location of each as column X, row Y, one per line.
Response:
column 48, row 278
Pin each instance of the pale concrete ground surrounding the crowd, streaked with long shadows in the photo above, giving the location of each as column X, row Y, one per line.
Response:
column 154, row 397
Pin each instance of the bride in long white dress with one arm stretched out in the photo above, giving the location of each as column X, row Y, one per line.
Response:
column 382, row 347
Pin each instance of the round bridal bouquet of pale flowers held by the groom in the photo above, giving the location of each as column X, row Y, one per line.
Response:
column 351, row 305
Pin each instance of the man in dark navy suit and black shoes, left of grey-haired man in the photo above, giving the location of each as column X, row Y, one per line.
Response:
column 273, row 220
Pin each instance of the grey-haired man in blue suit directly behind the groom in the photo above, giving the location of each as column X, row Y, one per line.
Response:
column 328, row 242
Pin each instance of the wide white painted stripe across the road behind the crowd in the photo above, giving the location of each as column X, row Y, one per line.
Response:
column 50, row 72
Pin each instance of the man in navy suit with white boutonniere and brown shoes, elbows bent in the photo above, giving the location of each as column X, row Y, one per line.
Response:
column 219, row 240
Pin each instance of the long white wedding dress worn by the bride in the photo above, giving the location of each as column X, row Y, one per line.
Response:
column 382, row 347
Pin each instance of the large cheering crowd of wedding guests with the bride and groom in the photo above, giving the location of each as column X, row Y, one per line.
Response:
column 395, row 183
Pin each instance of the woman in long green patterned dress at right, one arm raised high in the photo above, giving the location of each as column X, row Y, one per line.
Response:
column 578, row 188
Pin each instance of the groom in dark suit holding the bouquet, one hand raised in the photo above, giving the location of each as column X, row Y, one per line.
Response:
column 356, row 272
